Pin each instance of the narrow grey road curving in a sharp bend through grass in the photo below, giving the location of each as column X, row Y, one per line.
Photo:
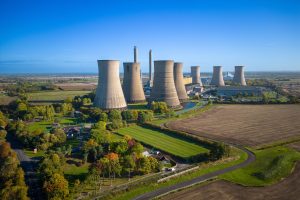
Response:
column 161, row 191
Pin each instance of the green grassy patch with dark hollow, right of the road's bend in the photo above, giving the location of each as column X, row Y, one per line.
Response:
column 271, row 165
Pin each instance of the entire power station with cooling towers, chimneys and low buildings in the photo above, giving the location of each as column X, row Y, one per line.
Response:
column 167, row 84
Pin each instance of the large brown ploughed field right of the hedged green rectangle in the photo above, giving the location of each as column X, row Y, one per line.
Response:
column 249, row 125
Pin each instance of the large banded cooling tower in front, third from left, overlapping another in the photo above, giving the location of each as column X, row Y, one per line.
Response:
column 163, row 84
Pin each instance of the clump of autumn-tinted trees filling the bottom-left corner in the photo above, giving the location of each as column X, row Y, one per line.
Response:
column 12, row 183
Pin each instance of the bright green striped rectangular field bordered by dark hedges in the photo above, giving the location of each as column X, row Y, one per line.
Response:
column 163, row 141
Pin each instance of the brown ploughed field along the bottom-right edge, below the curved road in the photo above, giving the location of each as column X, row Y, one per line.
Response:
column 287, row 189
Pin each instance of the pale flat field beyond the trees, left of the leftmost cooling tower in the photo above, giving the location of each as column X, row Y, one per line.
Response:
column 54, row 95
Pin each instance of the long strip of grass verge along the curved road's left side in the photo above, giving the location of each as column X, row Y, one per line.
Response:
column 204, row 168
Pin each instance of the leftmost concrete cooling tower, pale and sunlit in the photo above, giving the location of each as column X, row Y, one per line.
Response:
column 109, row 94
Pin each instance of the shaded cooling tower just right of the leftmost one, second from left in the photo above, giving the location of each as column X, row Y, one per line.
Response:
column 132, row 84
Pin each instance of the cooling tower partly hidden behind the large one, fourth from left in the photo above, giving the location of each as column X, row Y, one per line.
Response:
column 178, row 80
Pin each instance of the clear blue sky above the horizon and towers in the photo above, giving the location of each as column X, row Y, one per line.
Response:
column 69, row 36
